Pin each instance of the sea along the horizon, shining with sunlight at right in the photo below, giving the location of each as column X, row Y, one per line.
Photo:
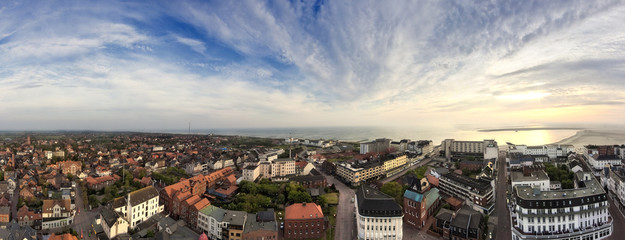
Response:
column 529, row 137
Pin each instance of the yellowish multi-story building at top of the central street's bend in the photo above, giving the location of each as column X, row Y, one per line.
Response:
column 357, row 173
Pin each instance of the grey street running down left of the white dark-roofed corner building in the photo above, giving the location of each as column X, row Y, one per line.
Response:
column 345, row 220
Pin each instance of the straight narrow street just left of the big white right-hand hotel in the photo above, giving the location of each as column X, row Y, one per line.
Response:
column 501, row 209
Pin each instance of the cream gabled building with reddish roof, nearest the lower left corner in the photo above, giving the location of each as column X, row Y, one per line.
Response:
column 56, row 213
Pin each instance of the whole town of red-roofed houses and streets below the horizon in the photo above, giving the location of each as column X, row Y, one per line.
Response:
column 126, row 185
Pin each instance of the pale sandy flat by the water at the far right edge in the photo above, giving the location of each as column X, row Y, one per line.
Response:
column 597, row 137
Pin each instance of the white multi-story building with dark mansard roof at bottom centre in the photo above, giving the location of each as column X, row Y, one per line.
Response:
column 378, row 216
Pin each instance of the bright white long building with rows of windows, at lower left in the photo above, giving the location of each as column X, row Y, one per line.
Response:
column 139, row 205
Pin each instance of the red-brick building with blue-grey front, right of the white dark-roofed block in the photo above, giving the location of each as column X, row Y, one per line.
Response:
column 420, row 202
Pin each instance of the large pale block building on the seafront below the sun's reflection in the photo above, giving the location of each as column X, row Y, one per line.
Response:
column 453, row 149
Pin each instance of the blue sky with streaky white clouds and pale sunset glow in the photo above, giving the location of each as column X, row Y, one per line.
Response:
column 126, row 65
